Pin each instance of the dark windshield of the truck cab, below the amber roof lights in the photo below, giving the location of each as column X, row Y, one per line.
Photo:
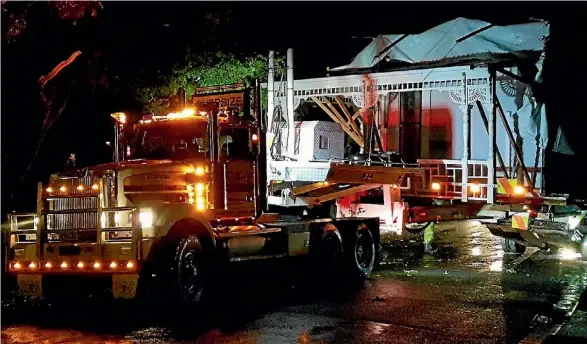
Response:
column 175, row 142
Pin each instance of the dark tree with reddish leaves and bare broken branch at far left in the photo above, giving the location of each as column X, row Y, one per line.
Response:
column 25, row 29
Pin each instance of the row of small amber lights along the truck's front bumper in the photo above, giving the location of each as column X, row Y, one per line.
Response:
column 73, row 266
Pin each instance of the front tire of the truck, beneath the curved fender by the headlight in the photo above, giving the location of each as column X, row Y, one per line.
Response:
column 189, row 271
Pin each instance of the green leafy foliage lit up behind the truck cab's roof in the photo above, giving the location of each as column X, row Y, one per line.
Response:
column 198, row 70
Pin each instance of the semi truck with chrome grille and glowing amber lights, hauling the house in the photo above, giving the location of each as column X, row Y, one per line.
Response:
column 185, row 194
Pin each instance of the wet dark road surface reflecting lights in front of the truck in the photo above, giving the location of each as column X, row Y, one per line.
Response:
column 463, row 290
